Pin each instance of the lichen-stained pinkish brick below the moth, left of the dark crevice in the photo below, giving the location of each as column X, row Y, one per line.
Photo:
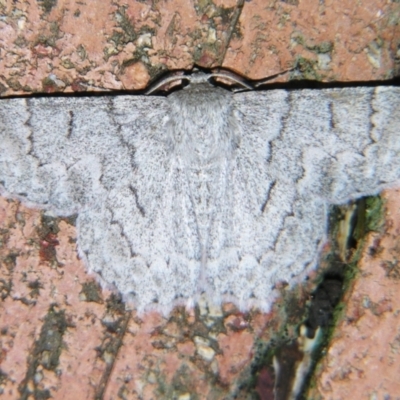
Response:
column 44, row 288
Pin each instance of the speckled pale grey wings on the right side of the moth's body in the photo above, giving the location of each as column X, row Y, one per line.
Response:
column 304, row 150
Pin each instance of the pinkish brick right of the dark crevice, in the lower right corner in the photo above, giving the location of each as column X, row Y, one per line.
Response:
column 364, row 354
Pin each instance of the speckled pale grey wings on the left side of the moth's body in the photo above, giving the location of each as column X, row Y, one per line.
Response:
column 104, row 159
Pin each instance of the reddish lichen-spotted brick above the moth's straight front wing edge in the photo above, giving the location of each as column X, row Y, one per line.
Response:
column 66, row 45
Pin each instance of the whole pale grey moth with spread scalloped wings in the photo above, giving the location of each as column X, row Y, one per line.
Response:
column 204, row 191
